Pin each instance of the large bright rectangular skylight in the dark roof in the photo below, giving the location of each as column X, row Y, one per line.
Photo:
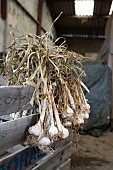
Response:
column 84, row 8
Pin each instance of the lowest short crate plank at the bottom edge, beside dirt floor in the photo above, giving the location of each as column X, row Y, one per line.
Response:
column 65, row 165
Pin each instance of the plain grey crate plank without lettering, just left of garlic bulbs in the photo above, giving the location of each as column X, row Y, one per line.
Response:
column 13, row 132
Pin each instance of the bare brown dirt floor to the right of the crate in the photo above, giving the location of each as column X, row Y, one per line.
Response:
column 93, row 153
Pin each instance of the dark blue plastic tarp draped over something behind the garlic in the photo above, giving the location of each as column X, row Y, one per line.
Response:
column 98, row 80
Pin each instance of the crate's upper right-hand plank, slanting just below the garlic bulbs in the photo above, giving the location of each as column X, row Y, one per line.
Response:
column 53, row 160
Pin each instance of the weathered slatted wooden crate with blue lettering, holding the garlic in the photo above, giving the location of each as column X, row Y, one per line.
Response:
column 15, row 156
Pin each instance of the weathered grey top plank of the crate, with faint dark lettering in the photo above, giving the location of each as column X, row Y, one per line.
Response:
column 14, row 99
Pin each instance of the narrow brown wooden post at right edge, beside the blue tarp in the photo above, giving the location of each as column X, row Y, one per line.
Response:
column 110, row 64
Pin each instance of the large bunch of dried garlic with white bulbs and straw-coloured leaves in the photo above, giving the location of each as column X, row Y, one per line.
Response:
column 55, row 73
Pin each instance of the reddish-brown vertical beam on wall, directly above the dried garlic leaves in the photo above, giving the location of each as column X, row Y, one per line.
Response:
column 40, row 3
